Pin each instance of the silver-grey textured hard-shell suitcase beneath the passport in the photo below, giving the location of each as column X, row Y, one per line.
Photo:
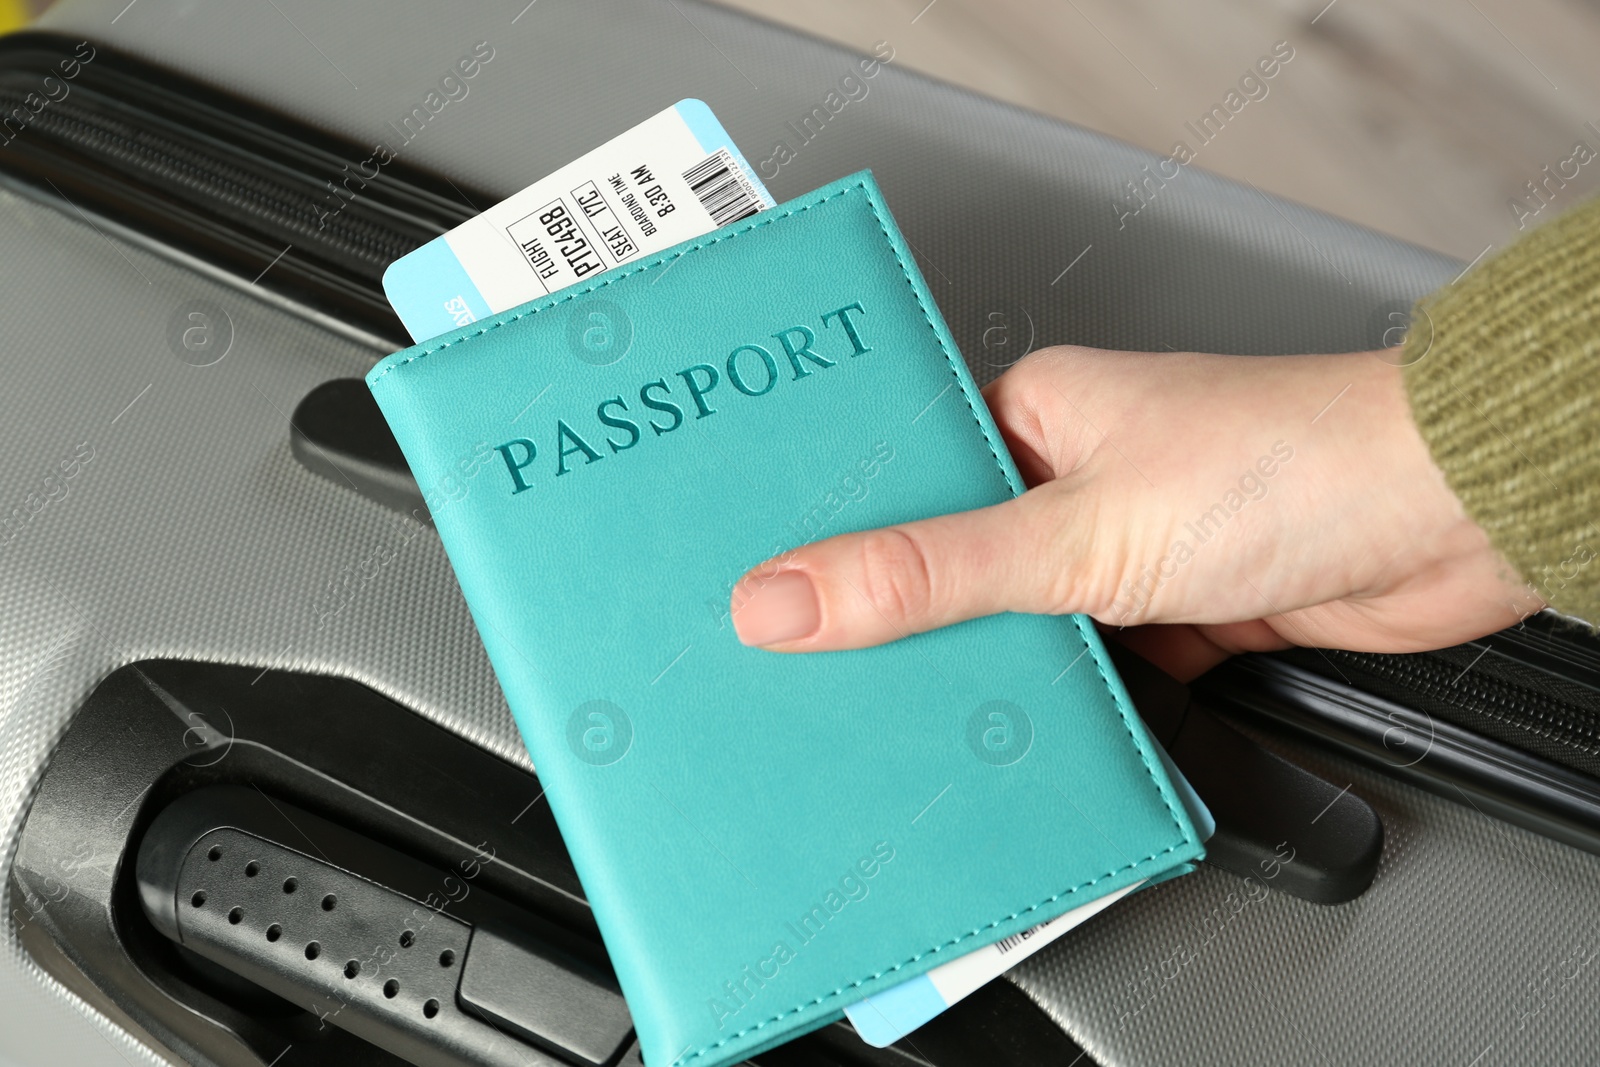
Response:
column 196, row 529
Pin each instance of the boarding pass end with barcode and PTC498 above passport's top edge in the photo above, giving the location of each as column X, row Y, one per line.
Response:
column 668, row 180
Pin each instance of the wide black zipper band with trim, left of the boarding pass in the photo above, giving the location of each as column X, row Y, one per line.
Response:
column 305, row 218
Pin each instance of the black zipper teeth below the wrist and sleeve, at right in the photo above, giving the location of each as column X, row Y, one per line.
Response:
column 1494, row 698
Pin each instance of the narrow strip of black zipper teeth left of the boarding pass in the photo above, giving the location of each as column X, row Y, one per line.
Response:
column 196, row 172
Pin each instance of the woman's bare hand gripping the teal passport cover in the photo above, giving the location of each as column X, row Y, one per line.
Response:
column 1215, row 503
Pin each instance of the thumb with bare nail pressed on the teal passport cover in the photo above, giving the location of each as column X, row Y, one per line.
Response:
column 882, row 585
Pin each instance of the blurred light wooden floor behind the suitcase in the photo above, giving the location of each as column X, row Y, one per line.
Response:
column 1417, row 118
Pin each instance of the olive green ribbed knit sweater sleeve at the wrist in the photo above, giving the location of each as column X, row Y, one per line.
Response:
column 1503, row 372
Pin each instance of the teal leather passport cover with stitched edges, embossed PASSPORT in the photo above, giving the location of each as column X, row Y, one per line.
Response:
column 764, row 837
